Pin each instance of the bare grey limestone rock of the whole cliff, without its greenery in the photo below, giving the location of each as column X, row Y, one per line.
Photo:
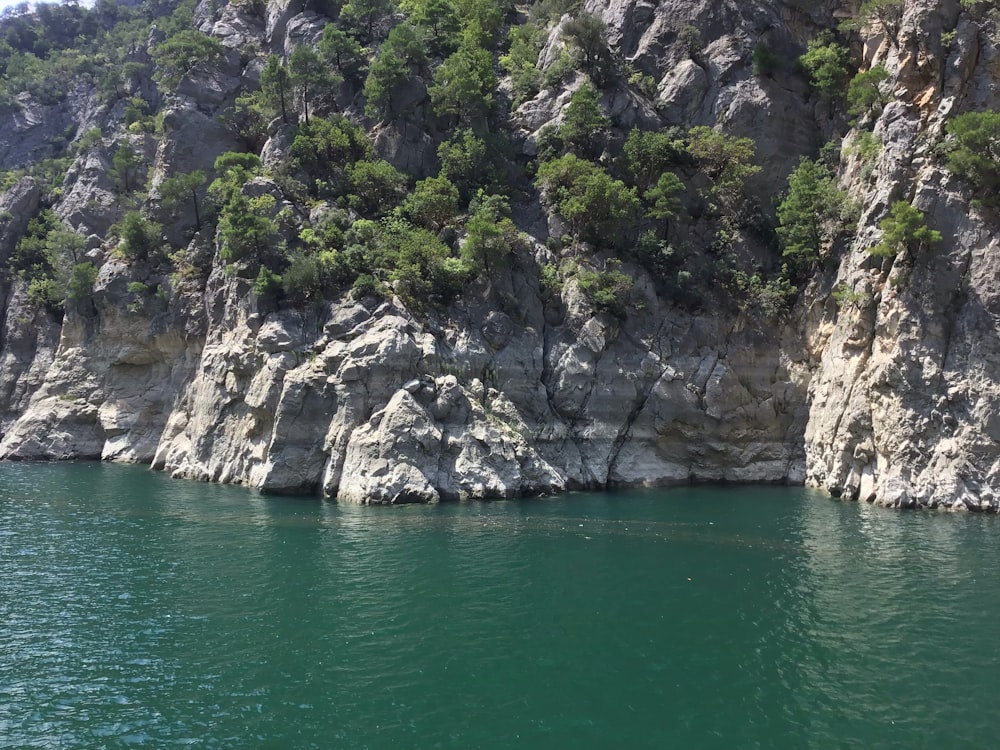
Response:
column 519, row 388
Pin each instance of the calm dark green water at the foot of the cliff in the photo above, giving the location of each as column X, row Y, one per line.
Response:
column 140, row 611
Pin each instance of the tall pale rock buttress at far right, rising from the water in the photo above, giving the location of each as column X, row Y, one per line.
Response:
column 903, row 407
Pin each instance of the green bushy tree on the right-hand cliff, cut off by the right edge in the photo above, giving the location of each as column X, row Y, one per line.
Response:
column 975, row 155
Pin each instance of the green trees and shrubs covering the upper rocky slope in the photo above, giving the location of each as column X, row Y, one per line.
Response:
column 328, row 214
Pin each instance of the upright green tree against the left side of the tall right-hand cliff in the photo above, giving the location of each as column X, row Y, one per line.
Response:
column 810, row 214
